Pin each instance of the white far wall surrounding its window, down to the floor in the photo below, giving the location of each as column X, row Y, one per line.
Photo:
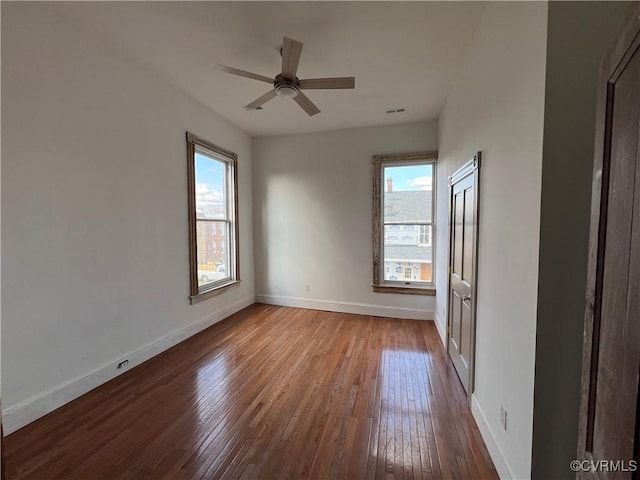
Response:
column 312, row 214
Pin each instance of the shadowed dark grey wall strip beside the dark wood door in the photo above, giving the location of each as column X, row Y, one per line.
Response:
column 573, row 58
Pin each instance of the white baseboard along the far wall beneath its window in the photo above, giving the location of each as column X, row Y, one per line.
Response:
column 346, row 307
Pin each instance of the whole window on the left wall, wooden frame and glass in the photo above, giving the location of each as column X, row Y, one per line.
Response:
column 213, row 218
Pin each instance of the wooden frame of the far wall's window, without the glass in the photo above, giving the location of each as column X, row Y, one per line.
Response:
column 380, row 285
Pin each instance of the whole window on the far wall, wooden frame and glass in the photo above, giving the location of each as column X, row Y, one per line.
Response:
column 404, row 198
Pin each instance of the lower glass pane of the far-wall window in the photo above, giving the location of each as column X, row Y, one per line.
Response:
column 405, row 257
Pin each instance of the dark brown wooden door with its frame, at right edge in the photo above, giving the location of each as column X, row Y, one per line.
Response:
column 609, row 412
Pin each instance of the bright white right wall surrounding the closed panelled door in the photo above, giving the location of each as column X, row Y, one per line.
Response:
column 497, row 107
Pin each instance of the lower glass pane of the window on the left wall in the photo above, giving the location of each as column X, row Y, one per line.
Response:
column 213, row 257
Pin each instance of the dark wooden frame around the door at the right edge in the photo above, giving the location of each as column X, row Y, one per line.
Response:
column 612, row 65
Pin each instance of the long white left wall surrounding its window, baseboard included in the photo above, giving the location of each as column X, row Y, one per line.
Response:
column 94, row 213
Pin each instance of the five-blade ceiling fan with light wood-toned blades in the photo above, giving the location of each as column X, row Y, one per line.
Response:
column 286, row 84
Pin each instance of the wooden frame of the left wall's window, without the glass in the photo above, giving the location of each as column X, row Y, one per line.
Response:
column 195, row 145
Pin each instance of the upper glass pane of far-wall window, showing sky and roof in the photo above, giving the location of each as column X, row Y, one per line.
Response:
column 408, row 193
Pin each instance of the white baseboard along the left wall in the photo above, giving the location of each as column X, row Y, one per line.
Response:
column 29, row 410
